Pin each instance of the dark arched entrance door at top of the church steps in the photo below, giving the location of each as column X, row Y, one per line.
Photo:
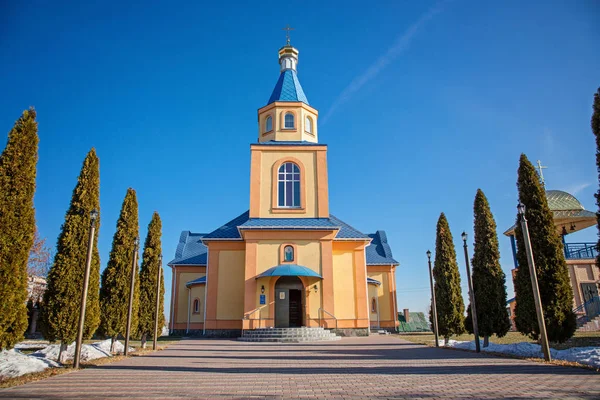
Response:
column 289, row 299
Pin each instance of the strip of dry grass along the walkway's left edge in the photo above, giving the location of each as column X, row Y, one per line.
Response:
column 48, row 372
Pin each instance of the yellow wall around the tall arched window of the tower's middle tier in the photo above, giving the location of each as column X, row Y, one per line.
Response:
column 308, row 160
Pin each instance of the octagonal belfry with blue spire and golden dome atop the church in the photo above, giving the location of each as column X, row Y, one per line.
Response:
column 288, row 117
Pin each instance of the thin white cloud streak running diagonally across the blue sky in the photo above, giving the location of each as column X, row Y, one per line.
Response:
column 401, row 44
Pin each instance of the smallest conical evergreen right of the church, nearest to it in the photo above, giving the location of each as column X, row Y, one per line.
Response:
column 449, row 301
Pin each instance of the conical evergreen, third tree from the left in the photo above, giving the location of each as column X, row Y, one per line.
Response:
column 114, row 293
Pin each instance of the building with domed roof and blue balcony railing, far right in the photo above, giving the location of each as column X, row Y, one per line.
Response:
column 569, row 217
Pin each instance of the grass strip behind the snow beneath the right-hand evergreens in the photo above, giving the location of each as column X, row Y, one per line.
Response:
column 581, row 339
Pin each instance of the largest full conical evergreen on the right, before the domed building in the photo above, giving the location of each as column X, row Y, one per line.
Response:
column 556, row 292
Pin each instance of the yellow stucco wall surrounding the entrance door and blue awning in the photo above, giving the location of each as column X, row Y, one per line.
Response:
column 308, row 254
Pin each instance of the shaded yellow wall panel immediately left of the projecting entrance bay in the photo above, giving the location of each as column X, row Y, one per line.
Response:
column 230, row 287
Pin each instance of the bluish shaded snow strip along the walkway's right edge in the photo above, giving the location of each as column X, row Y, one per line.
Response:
column 583, row 355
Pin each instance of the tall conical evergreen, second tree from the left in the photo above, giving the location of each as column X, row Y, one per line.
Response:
column 62, row 299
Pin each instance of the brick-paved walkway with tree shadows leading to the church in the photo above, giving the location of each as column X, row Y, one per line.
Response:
column 378, row 366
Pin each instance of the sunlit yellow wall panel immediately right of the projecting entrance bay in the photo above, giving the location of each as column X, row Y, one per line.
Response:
column 344, row 296
